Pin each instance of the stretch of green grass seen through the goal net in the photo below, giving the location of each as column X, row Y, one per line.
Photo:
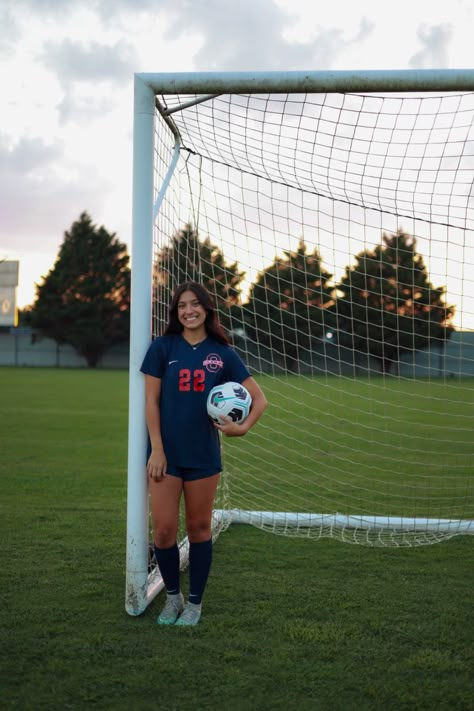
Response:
column 357, row 446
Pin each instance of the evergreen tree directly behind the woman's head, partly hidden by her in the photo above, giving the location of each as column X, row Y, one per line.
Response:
column 188, row 258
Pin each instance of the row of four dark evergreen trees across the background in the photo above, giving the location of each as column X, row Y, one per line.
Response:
column 384, row 305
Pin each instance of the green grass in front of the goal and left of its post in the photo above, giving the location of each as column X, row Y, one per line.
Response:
column 288, row 623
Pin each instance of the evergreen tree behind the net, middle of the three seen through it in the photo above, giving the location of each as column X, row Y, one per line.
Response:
column 289, row 305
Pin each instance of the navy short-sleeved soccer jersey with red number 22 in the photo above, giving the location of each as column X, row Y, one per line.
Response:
column 187, row 375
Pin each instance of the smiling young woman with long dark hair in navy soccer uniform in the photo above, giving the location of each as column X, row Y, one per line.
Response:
column 191, row 357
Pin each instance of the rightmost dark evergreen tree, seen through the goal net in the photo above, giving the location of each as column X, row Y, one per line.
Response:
column 388, row 306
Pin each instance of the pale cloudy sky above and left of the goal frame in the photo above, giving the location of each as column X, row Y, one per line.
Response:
column 67, row 66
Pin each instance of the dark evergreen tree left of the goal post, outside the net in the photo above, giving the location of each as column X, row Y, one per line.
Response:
column 85, row 299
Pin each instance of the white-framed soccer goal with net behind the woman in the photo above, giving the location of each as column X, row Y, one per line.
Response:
column 332, row 215
